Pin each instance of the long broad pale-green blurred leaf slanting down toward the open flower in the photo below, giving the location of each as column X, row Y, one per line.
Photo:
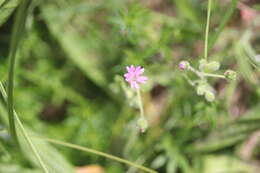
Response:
column 78, row 50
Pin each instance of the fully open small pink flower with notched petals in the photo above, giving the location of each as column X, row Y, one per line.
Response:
column 134, row 76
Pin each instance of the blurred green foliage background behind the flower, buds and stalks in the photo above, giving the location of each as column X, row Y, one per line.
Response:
column 69, row 85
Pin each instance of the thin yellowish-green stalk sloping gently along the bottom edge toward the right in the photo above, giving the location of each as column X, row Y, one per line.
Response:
column 95, row 152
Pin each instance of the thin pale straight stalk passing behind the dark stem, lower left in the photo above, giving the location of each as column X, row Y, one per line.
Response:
column 23, row 131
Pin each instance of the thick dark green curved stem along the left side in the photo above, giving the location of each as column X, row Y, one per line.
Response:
column 17, row 32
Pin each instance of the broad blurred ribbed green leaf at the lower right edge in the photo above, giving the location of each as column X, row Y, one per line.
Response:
column 229, row 134
